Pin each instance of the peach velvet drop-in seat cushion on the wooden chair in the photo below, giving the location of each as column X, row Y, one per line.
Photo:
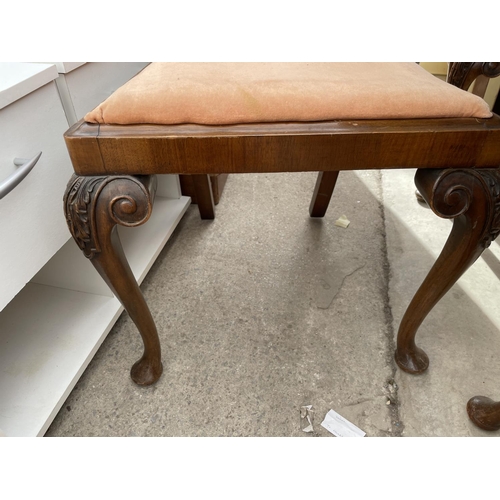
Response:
column 228, row 93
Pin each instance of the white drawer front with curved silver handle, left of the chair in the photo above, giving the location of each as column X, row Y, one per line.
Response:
column 32, row 224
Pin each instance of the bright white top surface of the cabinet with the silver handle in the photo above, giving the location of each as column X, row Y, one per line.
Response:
column 20, row 79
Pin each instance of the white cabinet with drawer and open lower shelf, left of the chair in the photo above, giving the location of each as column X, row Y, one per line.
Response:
column 55, row 310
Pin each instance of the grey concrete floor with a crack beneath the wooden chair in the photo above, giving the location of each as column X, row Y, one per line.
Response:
column 264, row 310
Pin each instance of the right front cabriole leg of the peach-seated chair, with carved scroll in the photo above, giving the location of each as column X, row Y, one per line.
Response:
column 471, row 198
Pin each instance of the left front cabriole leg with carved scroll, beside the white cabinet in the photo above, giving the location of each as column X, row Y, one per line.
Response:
column 93, row 207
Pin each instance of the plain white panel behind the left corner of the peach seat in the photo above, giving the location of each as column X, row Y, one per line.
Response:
column 92, row 83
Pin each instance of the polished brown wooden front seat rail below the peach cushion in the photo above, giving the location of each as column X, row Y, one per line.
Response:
column 284, row 147
